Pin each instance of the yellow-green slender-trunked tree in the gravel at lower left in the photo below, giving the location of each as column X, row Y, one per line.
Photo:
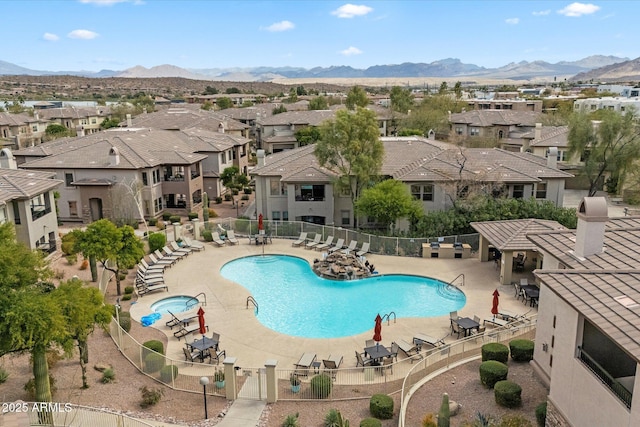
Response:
column 83, row 308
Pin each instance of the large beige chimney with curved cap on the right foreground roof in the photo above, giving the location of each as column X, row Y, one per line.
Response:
column 592, row 218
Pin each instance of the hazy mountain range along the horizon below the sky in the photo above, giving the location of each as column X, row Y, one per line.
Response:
column 446, row 68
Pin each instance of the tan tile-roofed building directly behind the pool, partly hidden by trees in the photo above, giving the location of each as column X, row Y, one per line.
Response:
column 292, row 185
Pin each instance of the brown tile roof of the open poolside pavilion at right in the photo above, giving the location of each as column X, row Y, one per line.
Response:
column 511, row 235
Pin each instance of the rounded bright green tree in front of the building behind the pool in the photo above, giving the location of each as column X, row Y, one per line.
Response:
column 387, row 202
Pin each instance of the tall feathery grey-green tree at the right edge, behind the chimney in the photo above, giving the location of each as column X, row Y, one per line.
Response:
column 611, row 148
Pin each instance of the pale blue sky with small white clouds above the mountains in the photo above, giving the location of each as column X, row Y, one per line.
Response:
column 118, row 34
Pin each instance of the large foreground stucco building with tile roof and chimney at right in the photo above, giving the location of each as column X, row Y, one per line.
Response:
column 587, row 346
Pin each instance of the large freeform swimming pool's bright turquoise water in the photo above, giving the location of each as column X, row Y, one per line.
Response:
column 293, row 300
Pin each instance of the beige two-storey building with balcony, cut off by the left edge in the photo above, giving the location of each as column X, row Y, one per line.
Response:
column 27, row 200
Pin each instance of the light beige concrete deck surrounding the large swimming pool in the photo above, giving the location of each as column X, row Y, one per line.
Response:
column 244, row 337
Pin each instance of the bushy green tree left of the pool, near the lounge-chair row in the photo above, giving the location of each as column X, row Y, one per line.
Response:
column 110, row 244
